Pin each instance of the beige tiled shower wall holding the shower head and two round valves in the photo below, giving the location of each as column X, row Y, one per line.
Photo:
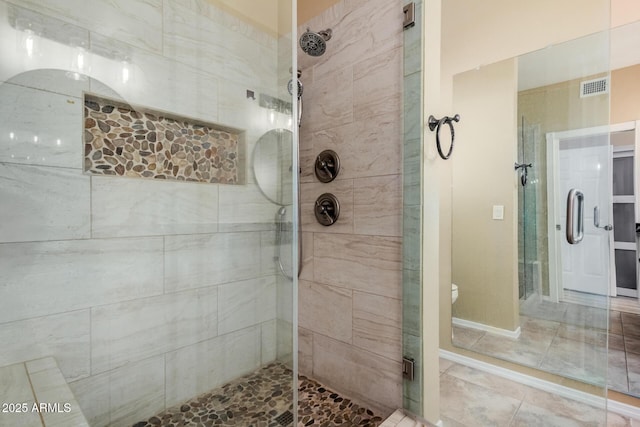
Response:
column 350, row 306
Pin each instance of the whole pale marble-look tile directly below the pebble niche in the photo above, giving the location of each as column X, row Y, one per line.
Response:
column 137, row 207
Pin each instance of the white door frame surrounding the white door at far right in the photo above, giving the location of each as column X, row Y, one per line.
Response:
column 556, row 288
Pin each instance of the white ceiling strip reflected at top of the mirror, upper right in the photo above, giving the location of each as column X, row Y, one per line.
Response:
column 581, row 57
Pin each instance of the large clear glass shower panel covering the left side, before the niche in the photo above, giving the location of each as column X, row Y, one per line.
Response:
column 136, row 248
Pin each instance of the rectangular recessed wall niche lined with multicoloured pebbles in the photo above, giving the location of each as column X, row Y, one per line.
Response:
column 122, row 141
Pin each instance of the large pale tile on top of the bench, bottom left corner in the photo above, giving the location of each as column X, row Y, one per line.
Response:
column 15, row 388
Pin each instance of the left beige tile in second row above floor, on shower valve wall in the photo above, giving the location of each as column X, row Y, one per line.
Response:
column 326, row 310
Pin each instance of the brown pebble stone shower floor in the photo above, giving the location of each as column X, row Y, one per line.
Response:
column 261, row 399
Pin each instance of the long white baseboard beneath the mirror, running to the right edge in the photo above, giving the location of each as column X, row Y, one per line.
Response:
column 560, row 390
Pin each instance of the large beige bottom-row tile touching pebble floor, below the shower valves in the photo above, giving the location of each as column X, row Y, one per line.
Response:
column 345, row 367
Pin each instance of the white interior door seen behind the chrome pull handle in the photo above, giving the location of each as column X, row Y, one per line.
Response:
column 583, row 163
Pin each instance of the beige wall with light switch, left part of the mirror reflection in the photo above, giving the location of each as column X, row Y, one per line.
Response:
column 484, row 258
